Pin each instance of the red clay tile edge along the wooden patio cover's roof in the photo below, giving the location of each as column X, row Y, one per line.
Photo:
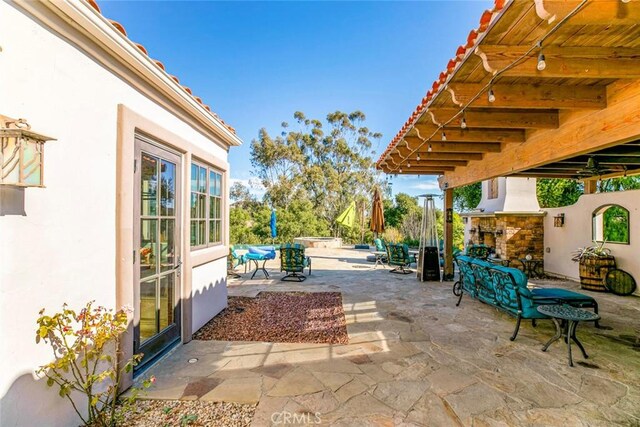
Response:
column 453, row 63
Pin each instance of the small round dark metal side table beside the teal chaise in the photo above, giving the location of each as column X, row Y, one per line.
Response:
column 570, row 316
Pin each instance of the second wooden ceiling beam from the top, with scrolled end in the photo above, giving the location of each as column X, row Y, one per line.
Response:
column 562, row 62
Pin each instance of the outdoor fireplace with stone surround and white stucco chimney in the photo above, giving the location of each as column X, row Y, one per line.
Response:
column 508, row 220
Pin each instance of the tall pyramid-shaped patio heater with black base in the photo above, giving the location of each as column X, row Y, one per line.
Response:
column 428, row 254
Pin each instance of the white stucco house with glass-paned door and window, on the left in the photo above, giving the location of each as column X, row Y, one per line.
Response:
column 133, row 203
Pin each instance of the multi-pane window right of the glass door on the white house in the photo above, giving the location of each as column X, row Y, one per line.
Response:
column 206, row 206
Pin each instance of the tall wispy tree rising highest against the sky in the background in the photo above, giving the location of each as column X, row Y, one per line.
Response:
column 328, row 164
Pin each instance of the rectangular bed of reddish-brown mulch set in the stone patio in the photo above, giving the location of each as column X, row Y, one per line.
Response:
column 295, row 317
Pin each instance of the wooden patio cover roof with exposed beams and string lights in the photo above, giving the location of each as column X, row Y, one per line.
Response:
column 494, row 102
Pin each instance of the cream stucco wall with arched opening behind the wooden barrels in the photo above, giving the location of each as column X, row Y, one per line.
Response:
column 561, row 241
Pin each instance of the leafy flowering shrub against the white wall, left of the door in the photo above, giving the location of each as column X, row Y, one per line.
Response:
column 85, row 361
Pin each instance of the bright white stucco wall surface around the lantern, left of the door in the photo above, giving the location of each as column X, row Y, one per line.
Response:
column 63, row 248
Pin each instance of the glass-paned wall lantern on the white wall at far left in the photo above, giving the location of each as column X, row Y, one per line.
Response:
column 21, row 154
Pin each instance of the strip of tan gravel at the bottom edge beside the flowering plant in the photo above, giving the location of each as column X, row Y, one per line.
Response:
column 160, row 413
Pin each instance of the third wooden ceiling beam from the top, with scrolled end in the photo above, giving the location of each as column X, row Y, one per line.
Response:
column 528, row 96
